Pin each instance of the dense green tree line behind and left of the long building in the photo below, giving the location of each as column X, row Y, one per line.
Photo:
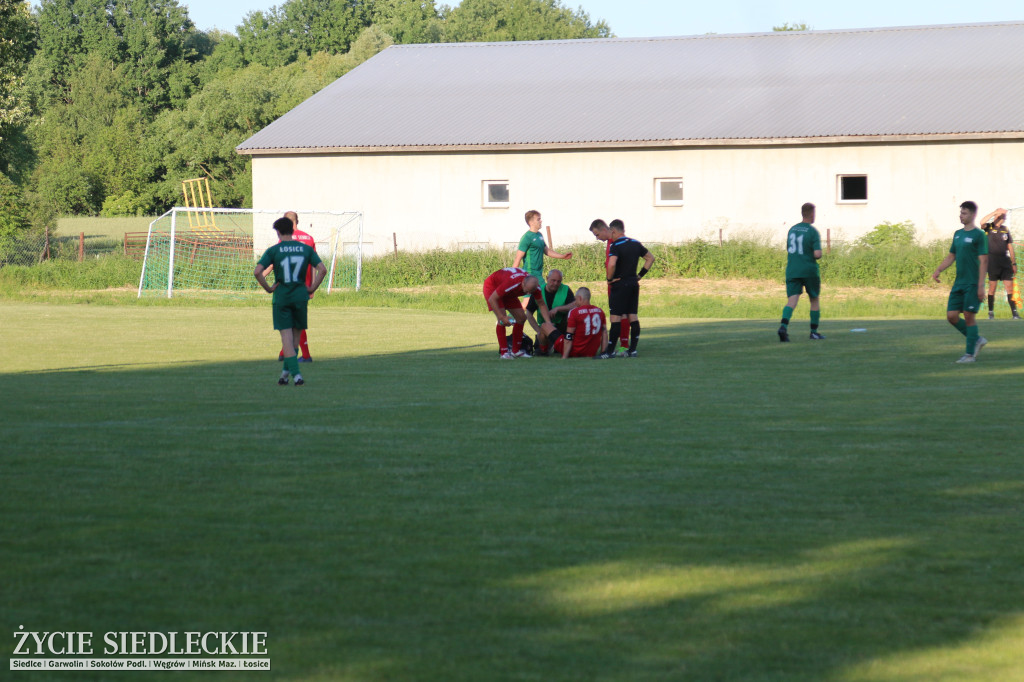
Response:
column 106, row 106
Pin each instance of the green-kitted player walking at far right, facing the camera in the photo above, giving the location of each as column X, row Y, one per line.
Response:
column 970, row 252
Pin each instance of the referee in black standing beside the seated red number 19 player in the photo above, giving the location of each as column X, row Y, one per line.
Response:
column 624, row 282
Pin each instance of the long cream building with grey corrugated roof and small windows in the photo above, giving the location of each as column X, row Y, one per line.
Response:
column 450, row 145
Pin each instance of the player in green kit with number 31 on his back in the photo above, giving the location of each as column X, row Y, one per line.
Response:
column 804, row 247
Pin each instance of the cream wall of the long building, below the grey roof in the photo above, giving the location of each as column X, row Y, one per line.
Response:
column 435, row 200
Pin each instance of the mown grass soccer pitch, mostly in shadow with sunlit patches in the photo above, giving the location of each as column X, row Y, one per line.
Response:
column 724, row 507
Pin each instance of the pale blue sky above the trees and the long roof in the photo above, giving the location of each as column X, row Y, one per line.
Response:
column 685, row 18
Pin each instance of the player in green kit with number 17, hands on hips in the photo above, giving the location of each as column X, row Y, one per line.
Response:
column 291, row 260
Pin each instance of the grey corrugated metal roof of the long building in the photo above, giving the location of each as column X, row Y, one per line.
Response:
column 823, row 84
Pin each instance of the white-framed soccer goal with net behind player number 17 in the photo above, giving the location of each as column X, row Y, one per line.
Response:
column 192, row 251
